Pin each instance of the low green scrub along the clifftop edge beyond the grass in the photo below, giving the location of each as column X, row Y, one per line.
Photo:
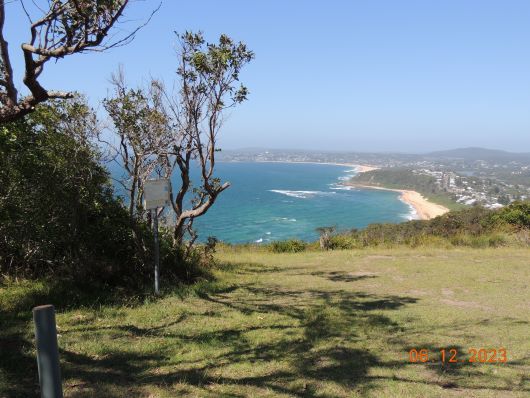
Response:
column 472, row 227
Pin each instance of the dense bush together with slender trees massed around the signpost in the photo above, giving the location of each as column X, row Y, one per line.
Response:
column 59, row 214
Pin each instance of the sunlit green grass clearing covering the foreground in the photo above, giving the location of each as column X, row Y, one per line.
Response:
column 312, row 324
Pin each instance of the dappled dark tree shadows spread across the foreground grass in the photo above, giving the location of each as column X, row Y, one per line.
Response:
column 316, row 339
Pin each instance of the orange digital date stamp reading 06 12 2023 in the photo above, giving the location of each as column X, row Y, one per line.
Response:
column 452, row 355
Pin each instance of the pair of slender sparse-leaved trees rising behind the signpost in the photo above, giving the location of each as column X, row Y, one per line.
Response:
column 175, row 131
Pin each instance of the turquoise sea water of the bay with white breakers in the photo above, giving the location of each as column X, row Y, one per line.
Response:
column 274, row 201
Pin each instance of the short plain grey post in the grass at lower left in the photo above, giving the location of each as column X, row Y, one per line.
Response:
column 47, row 352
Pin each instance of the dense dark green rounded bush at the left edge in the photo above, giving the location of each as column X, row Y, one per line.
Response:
column 57, row 210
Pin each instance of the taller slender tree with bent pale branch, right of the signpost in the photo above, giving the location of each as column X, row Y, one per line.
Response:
column 208, row 76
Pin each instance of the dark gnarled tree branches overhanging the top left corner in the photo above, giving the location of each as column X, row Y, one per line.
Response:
column 66, row 27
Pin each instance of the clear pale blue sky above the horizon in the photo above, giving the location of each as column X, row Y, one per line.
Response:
column 389, row 76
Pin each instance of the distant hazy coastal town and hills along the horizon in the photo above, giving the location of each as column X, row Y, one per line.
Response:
column 467, row 177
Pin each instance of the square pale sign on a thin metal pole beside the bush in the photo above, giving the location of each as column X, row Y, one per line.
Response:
column 156, row 194
